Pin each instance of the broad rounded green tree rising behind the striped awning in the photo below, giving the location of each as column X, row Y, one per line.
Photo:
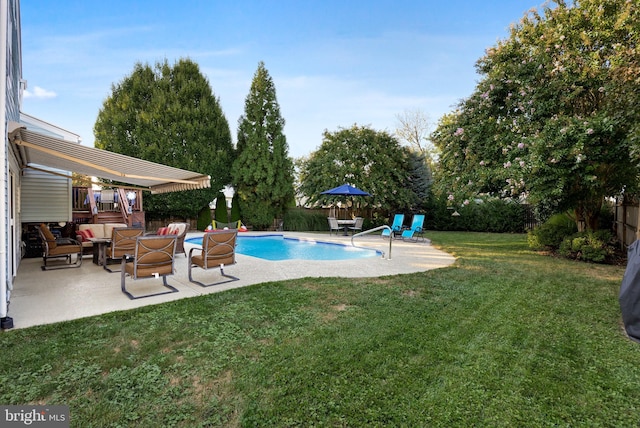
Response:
column 169, row 115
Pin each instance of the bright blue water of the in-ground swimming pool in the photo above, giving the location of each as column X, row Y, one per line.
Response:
column 278, row 247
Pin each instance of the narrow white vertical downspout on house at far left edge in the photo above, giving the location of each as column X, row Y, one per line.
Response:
column 4, row 296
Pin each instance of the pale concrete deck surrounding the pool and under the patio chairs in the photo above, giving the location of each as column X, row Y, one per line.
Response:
column 43, row 297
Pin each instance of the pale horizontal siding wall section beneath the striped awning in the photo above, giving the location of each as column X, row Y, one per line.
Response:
column 45, row 197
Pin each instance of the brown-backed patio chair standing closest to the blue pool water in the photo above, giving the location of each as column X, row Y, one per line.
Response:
column 218, row 250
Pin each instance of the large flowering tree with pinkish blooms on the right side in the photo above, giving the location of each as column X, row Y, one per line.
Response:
column 547, row 119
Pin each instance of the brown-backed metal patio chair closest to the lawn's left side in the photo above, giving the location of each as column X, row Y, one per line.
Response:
column 152, row 257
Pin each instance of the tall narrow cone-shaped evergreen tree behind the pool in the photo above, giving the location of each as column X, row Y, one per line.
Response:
column 263, row 171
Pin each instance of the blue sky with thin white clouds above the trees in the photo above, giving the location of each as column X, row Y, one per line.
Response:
column 334, row 63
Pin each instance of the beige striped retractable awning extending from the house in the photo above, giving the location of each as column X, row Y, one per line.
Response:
column 35, row 149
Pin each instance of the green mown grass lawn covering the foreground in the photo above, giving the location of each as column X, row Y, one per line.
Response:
column 505, row 337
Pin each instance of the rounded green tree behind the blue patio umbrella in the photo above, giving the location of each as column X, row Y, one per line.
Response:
column 370, row 160
